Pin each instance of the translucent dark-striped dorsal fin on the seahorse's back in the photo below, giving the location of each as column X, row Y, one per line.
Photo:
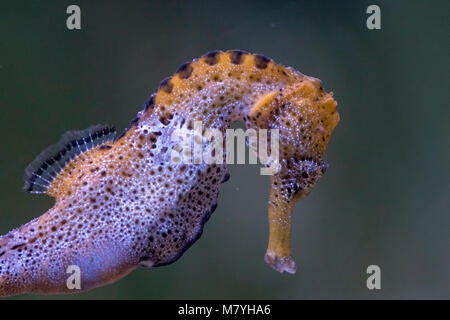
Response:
column 40, row 173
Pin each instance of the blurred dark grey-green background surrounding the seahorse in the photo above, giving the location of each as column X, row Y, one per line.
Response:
column 384, row 199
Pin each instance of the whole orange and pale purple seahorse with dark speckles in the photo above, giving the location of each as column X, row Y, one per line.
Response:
column 121, row 202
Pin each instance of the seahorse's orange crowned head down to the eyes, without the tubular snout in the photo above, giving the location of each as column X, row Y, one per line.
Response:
column 305, row 115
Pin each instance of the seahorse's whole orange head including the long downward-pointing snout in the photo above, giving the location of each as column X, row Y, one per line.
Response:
column 305, row 115
